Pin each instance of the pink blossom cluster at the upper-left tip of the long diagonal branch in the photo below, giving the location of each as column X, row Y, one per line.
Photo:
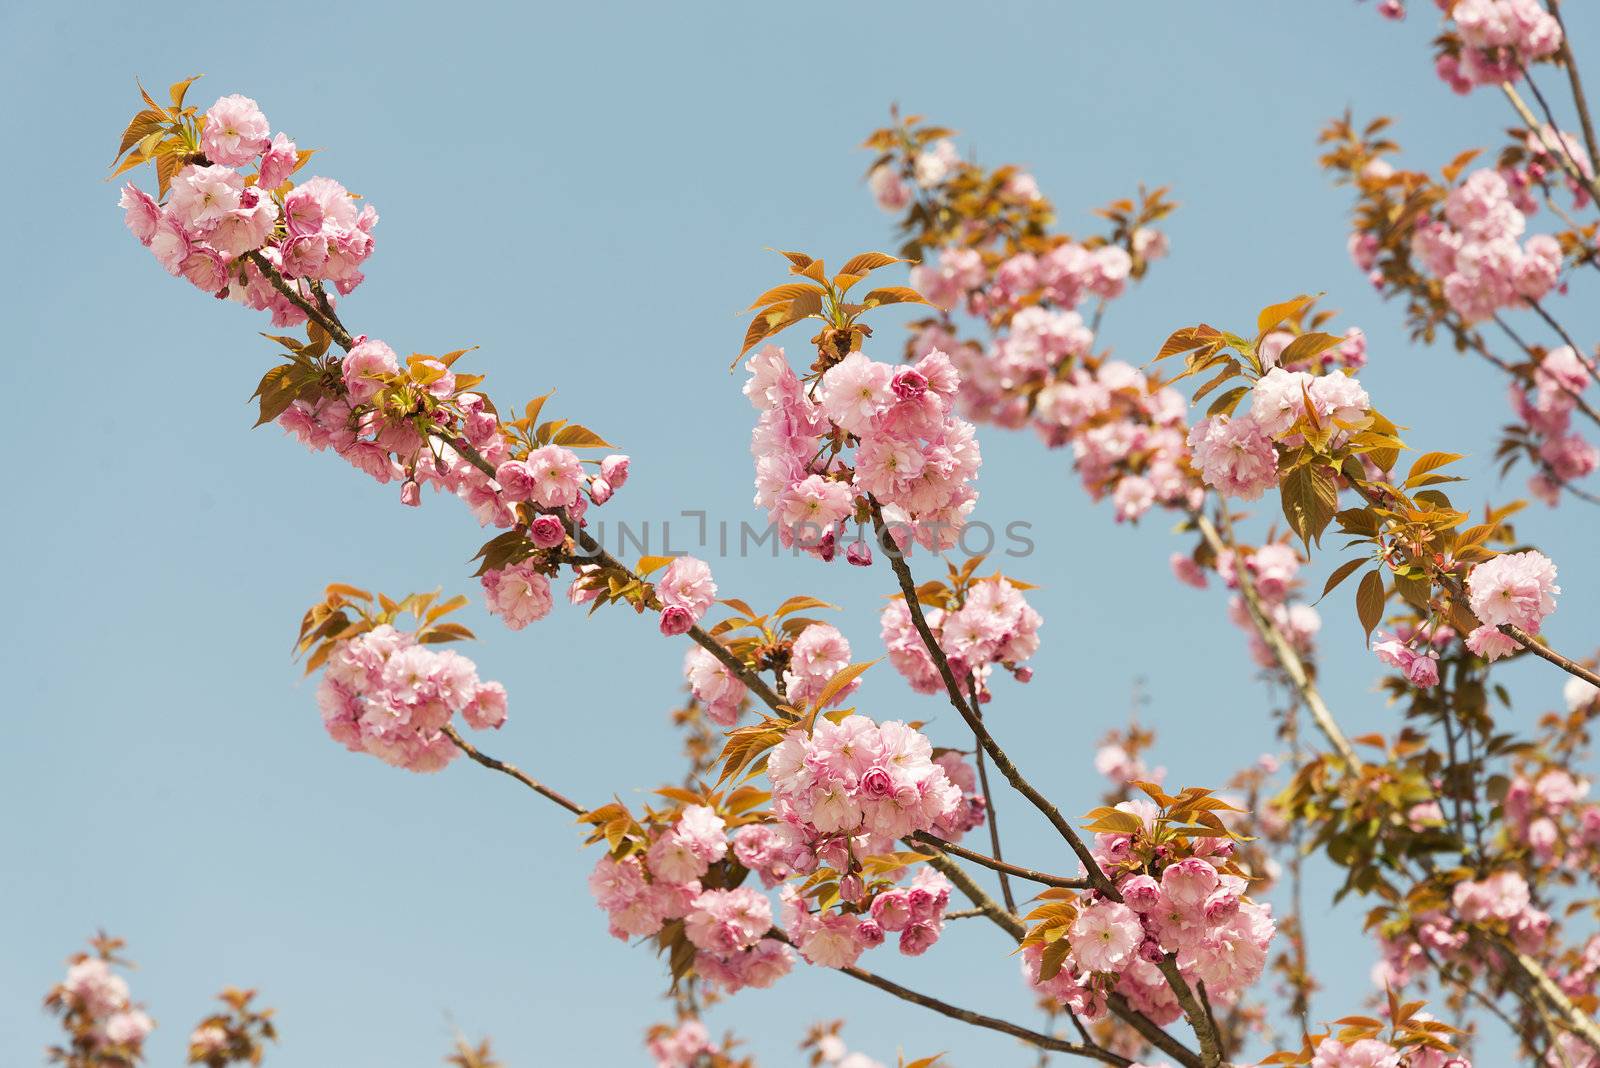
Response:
column 215, row 215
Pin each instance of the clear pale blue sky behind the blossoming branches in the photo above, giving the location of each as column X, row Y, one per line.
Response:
column 586, row 191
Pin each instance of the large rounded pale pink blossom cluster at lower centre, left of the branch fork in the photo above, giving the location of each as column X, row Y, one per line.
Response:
column 860, row 778
